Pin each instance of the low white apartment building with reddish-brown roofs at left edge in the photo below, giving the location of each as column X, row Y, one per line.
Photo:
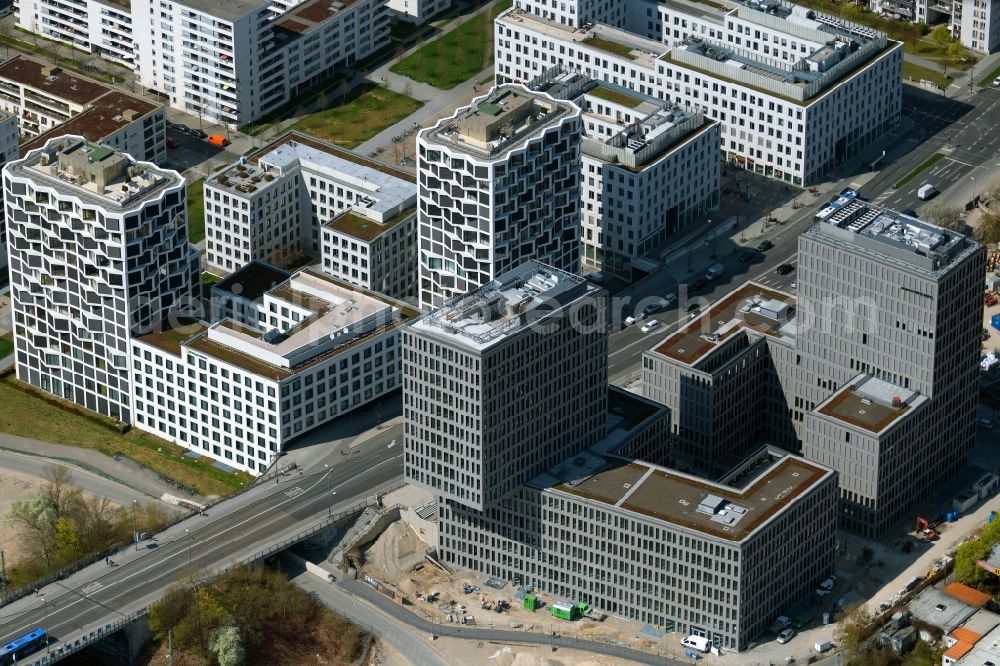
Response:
column 49, row 101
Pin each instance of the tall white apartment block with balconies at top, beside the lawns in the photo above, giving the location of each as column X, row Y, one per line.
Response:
column 234, row 62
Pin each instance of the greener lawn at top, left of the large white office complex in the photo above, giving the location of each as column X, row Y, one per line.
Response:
column 456, row 56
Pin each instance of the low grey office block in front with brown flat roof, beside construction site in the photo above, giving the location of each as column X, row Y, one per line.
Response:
column 717, row 559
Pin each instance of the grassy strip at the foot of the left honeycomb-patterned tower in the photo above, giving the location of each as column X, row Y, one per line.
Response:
column 26, row 415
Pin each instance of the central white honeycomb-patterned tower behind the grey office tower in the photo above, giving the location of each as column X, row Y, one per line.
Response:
column 498, row 185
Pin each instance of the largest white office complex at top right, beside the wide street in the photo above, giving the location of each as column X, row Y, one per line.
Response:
column 783, row 80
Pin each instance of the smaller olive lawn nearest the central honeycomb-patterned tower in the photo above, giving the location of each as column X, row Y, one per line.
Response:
column 363, row 116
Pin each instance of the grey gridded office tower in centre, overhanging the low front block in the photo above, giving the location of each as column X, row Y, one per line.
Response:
column 503, row 383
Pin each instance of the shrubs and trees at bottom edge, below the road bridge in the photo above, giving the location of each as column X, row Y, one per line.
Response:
column 252, row 615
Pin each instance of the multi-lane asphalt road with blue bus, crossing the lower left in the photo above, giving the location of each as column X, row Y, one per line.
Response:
column 265, row 514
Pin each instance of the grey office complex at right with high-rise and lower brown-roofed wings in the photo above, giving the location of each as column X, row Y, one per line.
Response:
column 881, row 343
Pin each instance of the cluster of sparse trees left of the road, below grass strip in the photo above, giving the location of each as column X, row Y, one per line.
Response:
column 59, row 525
